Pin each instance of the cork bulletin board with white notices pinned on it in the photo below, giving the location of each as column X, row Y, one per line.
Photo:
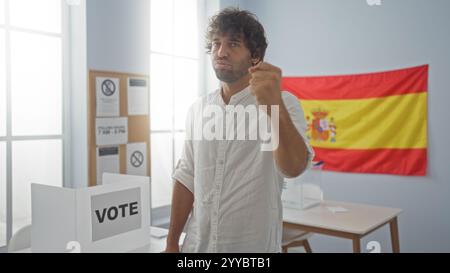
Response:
column 120, row 90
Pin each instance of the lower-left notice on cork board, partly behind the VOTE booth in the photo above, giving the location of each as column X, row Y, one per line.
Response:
column 107, row 161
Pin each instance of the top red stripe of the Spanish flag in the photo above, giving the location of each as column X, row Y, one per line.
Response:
column 359, row 86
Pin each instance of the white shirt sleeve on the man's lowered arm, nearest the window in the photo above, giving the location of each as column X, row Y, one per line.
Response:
column 184, row 170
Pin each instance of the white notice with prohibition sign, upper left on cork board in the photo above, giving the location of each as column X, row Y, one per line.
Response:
column 107, row 94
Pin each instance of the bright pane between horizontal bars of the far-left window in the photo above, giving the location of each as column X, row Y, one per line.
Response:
column 36, row 101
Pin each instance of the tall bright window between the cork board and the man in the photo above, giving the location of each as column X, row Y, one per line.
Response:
column 174, row 74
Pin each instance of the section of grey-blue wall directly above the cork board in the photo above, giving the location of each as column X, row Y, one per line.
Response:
column 118, row 35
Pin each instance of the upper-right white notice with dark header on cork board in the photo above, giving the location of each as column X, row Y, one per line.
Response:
column 137, row 97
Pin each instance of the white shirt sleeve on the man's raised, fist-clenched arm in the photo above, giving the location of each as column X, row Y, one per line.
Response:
column 297, row 116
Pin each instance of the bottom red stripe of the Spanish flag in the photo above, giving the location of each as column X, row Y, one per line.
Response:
column 381, row 161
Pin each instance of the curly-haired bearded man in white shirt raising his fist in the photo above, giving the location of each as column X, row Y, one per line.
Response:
column 232, row 189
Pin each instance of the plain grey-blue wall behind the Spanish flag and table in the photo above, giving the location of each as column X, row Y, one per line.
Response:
column 320, row 37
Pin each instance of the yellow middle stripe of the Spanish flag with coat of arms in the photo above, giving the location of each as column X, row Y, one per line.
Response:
column 390, row 122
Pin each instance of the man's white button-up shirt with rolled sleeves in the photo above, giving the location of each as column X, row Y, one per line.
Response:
column 237, row 187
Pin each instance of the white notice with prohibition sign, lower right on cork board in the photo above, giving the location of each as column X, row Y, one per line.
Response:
column 137, row 159
